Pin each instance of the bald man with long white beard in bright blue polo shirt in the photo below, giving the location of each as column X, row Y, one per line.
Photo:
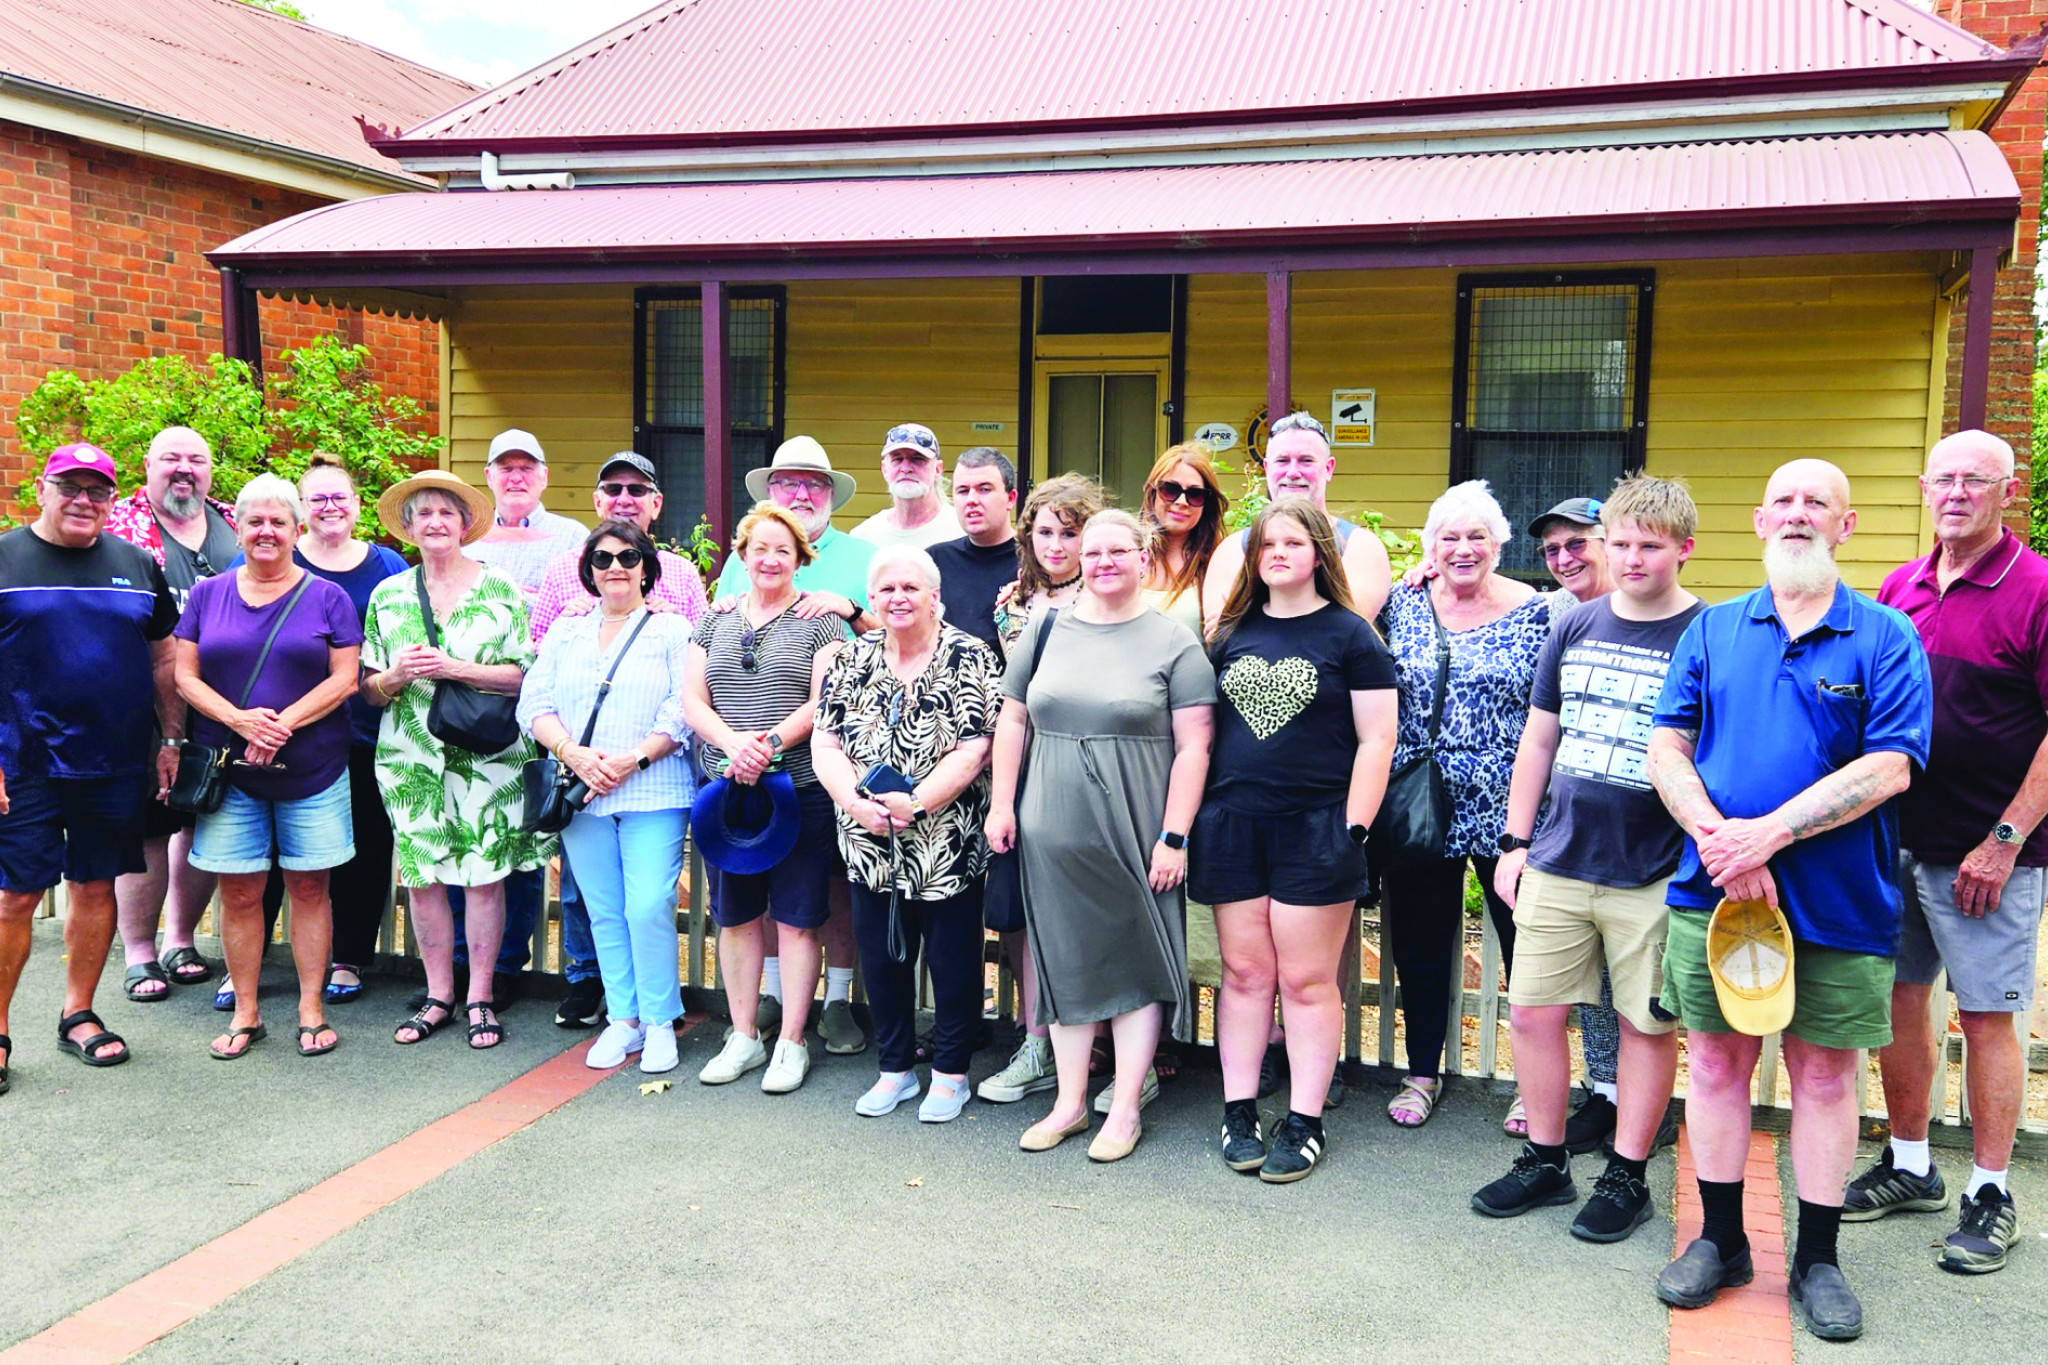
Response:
column 1789, row 723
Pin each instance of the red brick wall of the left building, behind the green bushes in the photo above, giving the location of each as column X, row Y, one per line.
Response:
column 103, row 265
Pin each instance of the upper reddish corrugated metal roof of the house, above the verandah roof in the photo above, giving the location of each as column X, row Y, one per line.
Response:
column 792, row 69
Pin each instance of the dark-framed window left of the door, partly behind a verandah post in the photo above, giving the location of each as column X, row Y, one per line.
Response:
column 671, row 394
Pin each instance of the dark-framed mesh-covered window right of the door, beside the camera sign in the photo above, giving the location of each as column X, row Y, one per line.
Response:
column 1549, row 392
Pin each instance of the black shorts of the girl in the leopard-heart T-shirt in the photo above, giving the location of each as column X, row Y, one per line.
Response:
column 1291, row 858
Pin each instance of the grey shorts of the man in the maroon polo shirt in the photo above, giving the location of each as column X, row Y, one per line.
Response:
column 1990, row 961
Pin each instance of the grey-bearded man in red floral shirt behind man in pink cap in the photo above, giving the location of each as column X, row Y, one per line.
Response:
column 189, row 537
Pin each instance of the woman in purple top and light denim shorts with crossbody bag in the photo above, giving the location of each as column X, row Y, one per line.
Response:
column 288, row 787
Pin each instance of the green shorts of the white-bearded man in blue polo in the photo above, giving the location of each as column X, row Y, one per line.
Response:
column 1842, row 1000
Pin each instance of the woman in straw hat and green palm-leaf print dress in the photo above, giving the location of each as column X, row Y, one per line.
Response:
column 456, row 813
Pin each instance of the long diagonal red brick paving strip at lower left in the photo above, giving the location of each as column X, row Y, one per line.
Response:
column 165, row 1301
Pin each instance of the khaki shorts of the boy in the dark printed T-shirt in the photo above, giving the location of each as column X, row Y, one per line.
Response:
column 1564, row 930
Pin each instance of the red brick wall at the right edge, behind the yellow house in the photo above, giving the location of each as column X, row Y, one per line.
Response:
column 2010, row 402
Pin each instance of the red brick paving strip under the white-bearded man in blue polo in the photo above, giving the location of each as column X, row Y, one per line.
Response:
column 1750, row 1325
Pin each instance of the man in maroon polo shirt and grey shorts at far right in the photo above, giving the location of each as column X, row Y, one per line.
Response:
column 1975, row 856
